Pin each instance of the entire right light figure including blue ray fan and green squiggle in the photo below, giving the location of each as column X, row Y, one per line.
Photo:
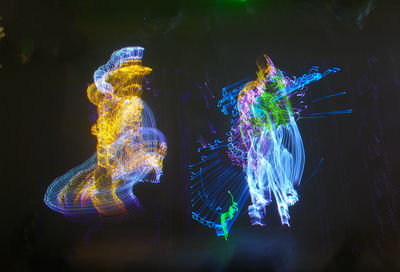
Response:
column 264, row 147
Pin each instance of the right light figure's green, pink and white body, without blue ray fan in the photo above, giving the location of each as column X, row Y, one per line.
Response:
column 268, row 135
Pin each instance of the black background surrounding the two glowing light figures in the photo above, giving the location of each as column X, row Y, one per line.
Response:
column 347, row 218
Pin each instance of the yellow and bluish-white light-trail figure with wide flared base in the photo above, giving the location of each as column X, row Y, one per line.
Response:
column 129, row 147
